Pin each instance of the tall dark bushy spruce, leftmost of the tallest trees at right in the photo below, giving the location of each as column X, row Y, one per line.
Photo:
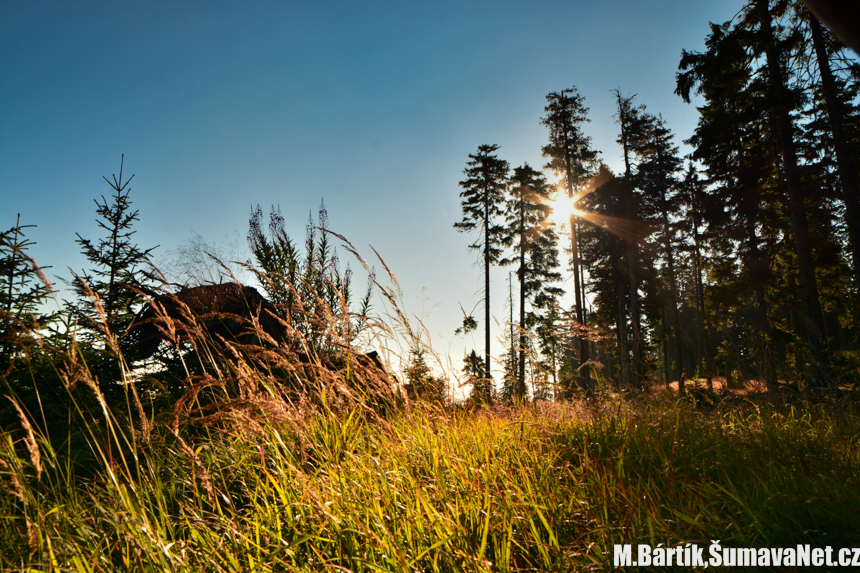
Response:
column 732, row 142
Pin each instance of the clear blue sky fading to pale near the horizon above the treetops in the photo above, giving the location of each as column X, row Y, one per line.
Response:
column 371, row 106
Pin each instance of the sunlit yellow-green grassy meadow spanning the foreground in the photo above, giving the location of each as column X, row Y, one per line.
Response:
column 542, row 488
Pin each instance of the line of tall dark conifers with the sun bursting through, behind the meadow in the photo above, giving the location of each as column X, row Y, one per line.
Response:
column 737, row 261
